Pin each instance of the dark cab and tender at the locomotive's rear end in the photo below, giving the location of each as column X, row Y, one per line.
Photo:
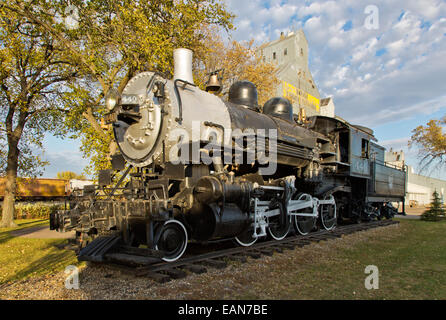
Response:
column 356, row 163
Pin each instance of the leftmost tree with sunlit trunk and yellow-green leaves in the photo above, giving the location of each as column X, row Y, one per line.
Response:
column 33, row 70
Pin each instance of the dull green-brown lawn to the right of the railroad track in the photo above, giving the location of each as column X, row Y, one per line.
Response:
column 411, row 263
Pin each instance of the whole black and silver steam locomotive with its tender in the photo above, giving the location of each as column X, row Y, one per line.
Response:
column 196, row 168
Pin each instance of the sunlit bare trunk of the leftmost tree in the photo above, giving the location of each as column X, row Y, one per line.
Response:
column 10, row 187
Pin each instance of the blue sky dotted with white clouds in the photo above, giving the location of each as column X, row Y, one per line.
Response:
column 390, row 79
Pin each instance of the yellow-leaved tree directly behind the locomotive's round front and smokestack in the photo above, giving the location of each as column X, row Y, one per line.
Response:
column 113, row 40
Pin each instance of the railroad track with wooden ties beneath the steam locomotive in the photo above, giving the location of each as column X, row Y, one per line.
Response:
column 163, row 272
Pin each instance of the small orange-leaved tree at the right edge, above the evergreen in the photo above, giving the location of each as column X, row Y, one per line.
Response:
column 431, row 139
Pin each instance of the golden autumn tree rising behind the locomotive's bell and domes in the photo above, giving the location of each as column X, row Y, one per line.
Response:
column 238, row 62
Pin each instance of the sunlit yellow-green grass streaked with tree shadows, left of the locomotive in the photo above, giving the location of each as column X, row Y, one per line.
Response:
column 21, row 258
